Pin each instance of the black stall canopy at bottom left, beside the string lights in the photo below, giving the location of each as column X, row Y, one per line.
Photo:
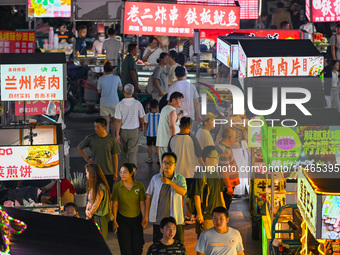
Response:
column 51, row 234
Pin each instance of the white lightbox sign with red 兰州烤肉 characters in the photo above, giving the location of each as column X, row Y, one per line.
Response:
column 32, row 82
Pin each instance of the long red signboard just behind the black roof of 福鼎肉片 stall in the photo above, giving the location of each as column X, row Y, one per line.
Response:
column 272, row 34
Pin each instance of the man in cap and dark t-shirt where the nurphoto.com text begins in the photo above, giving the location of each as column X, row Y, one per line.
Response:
column 208, row 190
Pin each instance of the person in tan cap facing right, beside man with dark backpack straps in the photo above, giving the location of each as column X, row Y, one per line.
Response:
column 203, row 134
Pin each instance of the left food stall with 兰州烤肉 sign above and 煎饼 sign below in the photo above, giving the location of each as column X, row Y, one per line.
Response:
column 28, row 79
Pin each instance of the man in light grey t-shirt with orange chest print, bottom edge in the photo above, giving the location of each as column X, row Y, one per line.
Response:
column 221, row 239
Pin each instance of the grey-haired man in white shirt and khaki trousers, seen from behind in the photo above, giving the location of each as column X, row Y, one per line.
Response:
column 129, row 117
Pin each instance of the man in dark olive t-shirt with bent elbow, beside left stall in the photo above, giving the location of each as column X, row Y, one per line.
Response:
column 104, row 149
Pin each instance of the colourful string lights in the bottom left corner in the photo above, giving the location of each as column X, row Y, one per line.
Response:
column 6, row 221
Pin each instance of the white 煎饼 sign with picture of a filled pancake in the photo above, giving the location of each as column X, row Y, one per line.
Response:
column 16, row 162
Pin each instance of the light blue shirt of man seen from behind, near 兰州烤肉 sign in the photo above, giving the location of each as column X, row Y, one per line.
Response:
column 108, row 84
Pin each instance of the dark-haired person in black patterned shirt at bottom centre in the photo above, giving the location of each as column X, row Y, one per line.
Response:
column 167, row 245
